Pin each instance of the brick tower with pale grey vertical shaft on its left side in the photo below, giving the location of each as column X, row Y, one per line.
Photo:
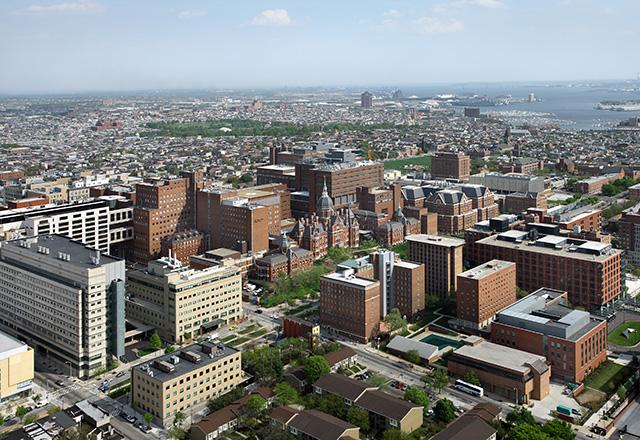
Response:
column 401, row 283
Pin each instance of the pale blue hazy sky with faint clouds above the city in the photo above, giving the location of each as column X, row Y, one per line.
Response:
column 59, row 46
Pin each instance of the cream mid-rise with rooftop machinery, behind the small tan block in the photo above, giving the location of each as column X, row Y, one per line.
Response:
column 176, row 299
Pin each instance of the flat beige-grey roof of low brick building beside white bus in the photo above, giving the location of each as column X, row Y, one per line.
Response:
column 499, row 355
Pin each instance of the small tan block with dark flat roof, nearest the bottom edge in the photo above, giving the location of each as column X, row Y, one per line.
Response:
column 183, row 381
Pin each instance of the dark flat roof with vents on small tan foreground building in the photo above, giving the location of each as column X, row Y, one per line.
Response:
column 184, row 366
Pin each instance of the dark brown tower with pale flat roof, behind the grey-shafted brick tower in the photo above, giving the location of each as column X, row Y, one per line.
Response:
column 442, row 259
